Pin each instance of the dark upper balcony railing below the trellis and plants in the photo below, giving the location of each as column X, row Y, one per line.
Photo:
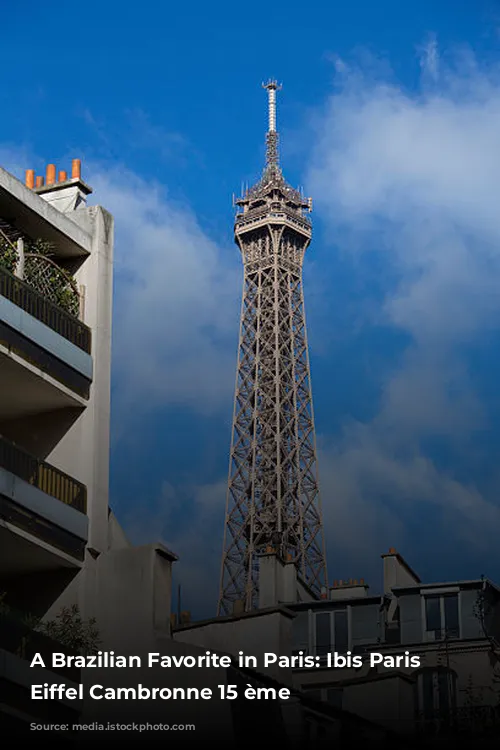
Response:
column 41, row 308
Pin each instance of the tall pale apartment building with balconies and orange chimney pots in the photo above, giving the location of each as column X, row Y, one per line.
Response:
column 56, row 260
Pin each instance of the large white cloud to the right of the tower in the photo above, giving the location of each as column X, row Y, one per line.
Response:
column 415, row 176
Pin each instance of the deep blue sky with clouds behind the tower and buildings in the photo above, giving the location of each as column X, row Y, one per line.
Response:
column 390, row 118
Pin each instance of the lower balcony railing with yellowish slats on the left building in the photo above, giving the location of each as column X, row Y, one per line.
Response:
column 45, row 477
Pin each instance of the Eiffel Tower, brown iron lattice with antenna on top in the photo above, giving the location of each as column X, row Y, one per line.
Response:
column 273, row 501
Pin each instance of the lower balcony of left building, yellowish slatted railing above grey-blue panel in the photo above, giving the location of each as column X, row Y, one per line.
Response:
column 43, row 521
